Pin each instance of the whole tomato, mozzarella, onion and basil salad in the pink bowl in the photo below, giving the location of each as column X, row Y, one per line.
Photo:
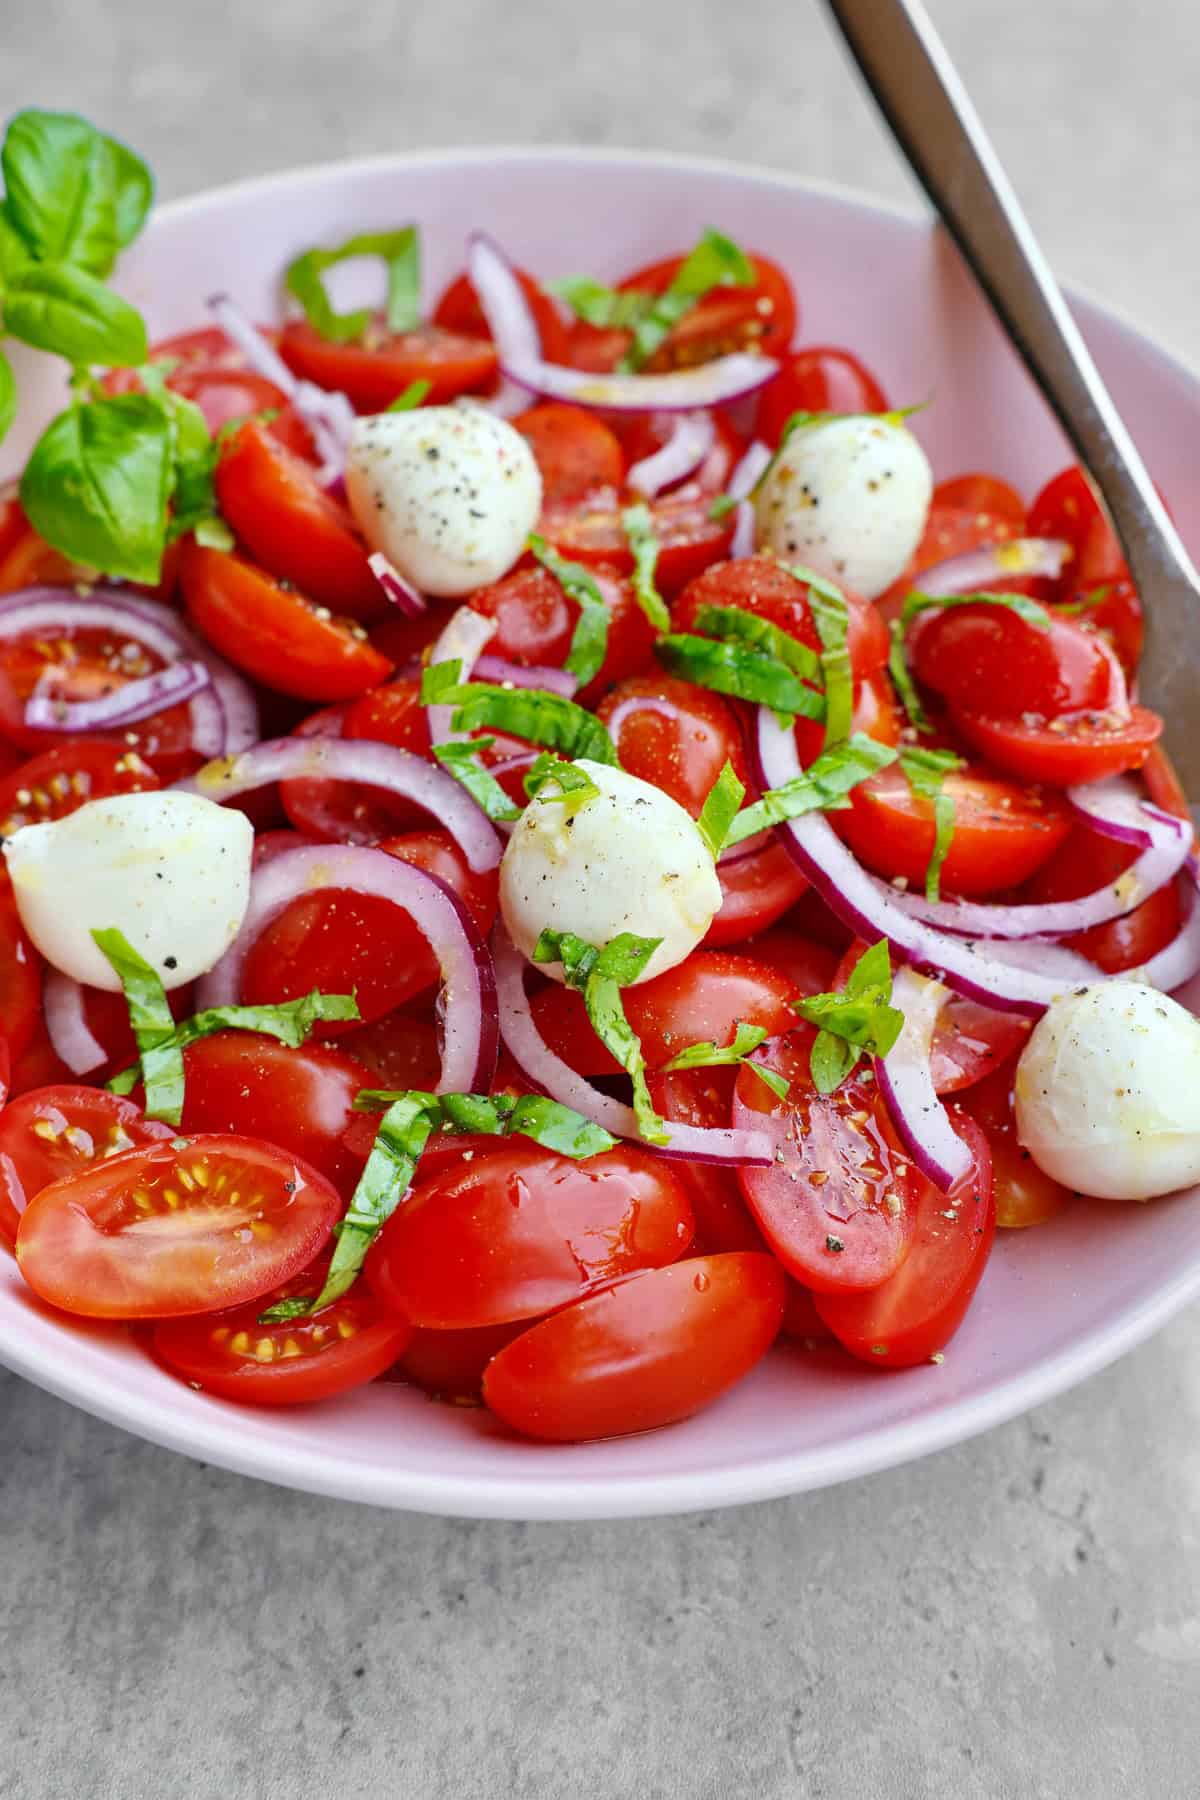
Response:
column 542, row 845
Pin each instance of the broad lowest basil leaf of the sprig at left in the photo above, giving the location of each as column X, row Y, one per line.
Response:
column 98, row 481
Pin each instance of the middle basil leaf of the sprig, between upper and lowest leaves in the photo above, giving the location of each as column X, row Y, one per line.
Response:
column 75, row 316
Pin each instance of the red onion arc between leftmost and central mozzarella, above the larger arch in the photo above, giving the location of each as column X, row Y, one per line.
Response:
column 359, row 760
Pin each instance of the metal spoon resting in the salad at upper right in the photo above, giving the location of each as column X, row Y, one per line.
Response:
column 931, row 114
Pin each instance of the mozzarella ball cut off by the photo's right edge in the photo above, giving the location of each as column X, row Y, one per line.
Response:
column 1109, row 1093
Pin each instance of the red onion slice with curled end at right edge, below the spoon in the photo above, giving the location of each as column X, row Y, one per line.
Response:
column 1115, row 809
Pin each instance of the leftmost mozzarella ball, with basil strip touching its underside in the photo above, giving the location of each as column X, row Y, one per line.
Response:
column 172, row 872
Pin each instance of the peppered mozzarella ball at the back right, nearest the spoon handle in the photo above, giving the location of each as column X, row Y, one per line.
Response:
column 848, row 498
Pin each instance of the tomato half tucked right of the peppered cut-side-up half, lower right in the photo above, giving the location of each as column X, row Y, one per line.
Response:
column 915, row 1313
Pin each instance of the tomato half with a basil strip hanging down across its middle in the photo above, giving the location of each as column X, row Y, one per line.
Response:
column 1001, row 831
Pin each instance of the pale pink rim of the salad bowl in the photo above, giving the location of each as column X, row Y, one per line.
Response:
column 222, row 1437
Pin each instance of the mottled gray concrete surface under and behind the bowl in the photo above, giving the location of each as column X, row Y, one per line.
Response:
column 1012, row 1621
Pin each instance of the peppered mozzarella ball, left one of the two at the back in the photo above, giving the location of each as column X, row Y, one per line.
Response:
column 447, row 494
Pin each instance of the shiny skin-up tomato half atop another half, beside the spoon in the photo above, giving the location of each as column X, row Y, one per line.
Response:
column 990, row 658
